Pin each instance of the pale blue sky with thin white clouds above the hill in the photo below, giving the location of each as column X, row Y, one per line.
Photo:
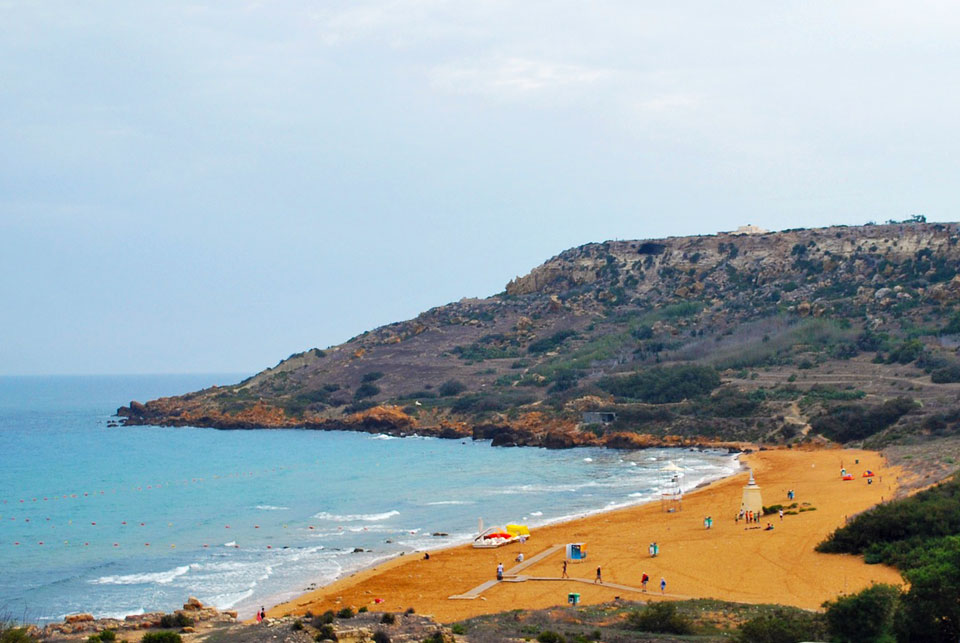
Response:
column 212, row 186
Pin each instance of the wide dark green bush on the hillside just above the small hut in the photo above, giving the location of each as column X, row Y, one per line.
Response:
column 663, row 385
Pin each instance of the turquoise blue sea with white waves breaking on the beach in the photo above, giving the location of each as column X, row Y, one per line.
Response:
column 125, row 520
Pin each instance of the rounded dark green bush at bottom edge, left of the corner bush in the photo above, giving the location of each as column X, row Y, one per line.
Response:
column 866, row 616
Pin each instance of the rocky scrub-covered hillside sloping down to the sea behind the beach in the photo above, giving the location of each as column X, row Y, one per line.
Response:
column 847, row 334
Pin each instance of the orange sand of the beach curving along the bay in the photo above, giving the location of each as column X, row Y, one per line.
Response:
column 726, row 562
